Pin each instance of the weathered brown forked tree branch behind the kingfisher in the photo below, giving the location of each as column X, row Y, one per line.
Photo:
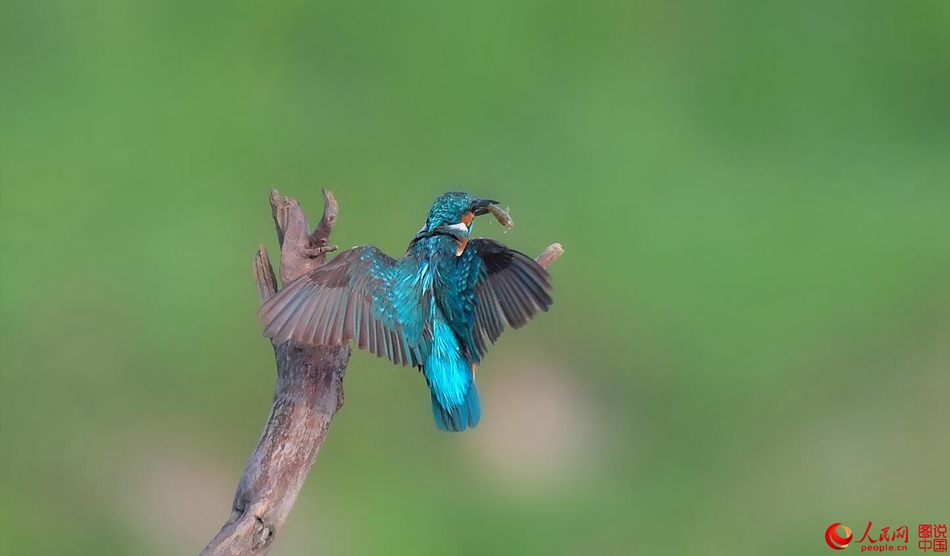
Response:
column 308, row 394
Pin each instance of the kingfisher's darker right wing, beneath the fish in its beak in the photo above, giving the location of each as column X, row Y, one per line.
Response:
column 510, row 288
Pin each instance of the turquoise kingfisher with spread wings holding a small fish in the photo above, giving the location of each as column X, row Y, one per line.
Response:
column 438, row 308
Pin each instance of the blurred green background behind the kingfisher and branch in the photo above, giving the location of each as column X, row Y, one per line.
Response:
column 751, row 334
